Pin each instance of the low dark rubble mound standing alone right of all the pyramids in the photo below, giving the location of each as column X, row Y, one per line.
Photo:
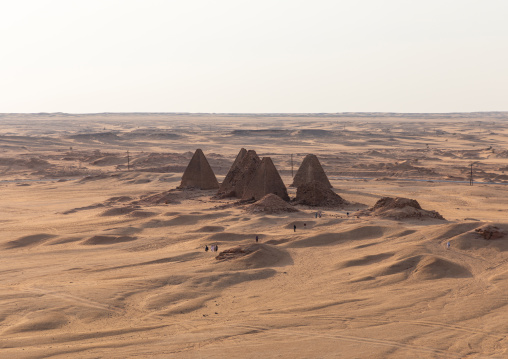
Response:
column 399, row 208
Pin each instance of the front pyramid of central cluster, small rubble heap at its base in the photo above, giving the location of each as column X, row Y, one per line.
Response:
column 266, row 180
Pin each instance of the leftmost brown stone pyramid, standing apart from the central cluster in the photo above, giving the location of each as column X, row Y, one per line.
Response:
column 198, row 173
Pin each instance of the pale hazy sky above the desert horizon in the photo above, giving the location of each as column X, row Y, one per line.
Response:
column 253, row 56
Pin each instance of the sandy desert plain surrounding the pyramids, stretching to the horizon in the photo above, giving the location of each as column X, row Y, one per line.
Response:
column 102, row 257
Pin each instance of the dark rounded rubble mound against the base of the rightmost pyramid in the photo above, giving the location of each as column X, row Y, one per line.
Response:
column 316, row 193
